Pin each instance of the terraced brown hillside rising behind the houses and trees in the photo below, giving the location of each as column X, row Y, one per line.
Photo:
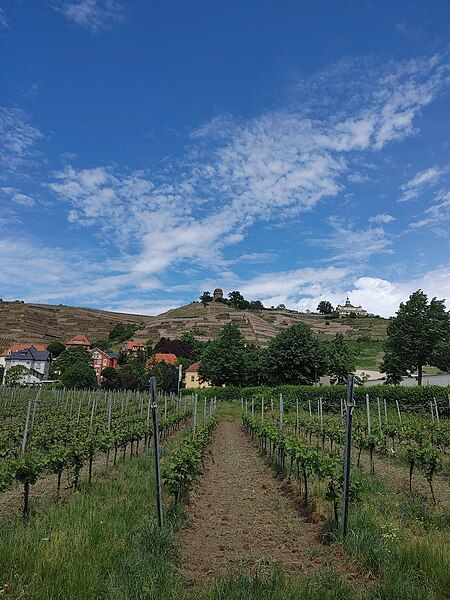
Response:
column 21, row 322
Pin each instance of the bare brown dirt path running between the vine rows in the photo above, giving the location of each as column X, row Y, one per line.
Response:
column 239, row 518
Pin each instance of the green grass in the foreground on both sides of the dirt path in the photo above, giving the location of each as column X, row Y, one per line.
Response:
column 104, row 544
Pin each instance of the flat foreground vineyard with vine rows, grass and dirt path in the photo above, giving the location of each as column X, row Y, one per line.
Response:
column 252, row 495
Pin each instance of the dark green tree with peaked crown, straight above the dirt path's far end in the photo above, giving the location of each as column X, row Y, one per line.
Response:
column 222, row 362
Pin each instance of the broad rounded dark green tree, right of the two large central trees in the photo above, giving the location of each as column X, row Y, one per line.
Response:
column 295, row 356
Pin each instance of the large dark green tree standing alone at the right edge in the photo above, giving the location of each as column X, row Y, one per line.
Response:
column 417, row 335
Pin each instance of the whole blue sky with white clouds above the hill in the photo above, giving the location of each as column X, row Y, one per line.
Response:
column 295, row 150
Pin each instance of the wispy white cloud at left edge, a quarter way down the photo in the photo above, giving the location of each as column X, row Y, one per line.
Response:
column 17, row 138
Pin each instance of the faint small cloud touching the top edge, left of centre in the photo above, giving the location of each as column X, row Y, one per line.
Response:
column 95, row 15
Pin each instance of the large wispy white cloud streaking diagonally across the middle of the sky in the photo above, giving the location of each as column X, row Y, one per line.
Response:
column 237, row 173
